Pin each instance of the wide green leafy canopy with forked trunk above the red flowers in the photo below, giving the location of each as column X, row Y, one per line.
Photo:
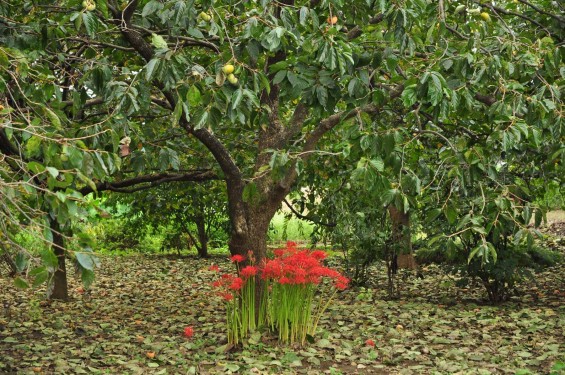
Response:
column 461, row 100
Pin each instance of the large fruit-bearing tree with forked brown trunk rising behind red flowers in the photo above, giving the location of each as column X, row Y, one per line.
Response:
column 434, row 70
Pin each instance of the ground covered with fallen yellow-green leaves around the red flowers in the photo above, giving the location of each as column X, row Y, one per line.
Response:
column 132, row 322
